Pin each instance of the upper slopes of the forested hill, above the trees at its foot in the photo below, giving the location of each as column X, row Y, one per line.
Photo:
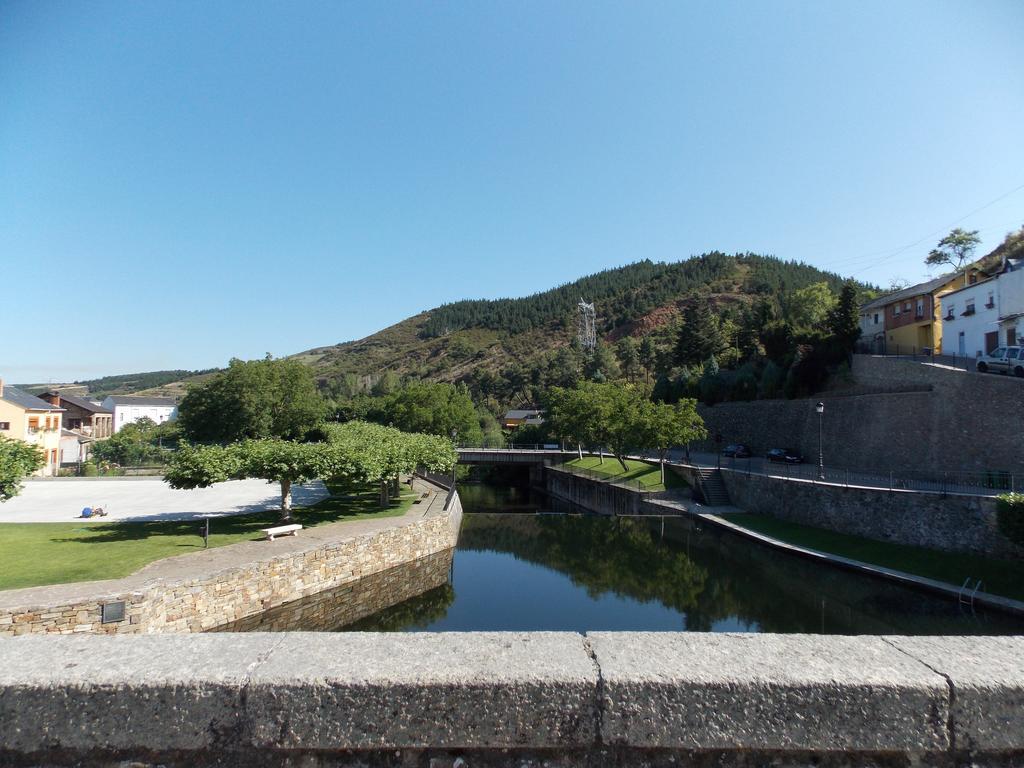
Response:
column 494, row 345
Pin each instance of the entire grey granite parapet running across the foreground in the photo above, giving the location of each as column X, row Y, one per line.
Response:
column 309, row 692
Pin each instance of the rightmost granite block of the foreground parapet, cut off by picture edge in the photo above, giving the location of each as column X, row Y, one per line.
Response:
column 987, row 677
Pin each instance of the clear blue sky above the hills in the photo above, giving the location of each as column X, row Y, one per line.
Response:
column 183, row 183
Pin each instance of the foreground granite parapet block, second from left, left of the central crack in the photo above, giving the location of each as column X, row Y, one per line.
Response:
column 369, row 691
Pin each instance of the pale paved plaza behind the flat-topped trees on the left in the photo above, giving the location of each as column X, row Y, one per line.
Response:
column 148, row 500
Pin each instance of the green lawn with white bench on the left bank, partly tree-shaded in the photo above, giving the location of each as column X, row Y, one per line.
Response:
column 38, row 553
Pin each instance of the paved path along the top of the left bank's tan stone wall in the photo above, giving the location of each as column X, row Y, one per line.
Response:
column 210, row 564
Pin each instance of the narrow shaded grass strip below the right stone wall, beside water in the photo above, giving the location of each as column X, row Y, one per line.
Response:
column 1001, row 577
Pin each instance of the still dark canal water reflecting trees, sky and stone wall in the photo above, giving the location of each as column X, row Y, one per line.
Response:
column 521, row 566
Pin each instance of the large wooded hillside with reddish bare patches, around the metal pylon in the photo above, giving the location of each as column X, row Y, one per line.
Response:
column 656, row 323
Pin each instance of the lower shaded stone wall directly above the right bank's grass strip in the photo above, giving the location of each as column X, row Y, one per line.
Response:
column 954, row 524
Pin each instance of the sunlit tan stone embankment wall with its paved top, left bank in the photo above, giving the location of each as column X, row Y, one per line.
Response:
column 320, row 561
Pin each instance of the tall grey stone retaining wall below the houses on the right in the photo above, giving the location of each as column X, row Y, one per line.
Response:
column 967, row 422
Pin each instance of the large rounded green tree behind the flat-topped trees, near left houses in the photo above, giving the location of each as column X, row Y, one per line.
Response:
column 253, row 400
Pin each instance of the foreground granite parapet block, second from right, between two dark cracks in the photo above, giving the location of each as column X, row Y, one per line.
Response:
column 793, row 693
